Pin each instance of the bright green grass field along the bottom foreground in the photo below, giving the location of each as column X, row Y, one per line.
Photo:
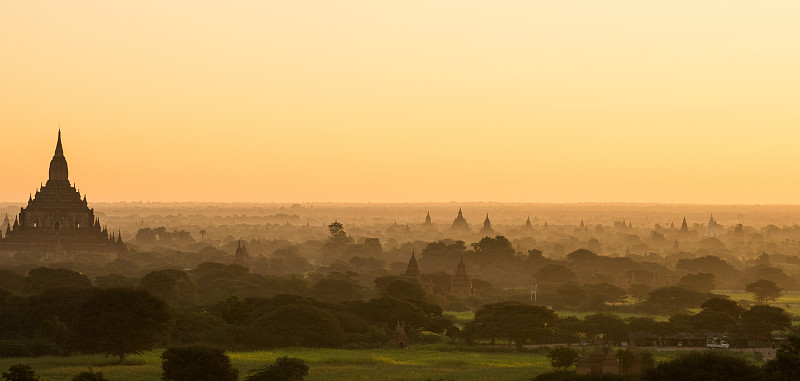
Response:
column 324, row 364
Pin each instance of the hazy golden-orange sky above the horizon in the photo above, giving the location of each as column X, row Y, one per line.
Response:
column 404, row 101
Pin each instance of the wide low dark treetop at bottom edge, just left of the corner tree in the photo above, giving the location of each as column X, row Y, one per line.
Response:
column 704, row 366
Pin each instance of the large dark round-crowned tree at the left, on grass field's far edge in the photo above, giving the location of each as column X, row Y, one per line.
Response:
column 121, row 321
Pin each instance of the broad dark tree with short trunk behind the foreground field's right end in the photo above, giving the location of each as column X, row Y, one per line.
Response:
column 516, row 321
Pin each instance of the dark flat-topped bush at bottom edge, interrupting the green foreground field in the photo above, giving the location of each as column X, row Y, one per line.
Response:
column 197, row 363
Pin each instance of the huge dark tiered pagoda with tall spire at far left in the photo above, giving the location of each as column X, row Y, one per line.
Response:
column 57, row 222
